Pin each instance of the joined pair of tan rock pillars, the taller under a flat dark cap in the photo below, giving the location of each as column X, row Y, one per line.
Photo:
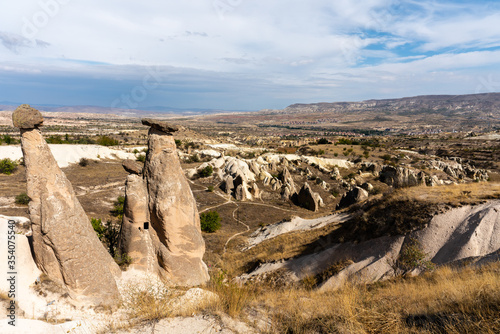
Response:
column 161, row 229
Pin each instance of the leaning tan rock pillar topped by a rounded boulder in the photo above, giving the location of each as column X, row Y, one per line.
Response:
column 65, row 245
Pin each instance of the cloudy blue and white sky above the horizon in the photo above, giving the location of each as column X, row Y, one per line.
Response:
column 244, row 54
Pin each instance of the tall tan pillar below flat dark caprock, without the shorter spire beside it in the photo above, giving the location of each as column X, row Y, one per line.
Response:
column 175, row 222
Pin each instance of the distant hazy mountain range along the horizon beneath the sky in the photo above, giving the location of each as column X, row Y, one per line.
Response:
column 446, row 105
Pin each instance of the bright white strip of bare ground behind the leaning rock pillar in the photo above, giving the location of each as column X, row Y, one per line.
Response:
column 66, row 154
